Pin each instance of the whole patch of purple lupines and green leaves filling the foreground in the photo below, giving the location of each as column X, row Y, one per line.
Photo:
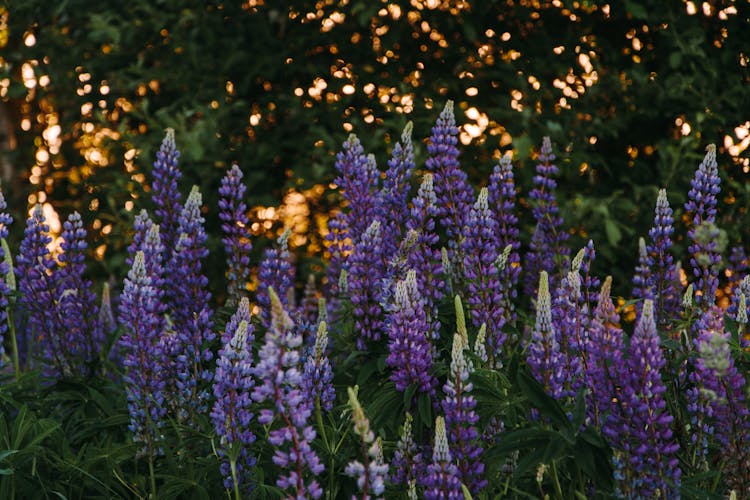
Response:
column 416, row 370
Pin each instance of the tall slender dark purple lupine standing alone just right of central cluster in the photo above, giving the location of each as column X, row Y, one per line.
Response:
column 548, row 251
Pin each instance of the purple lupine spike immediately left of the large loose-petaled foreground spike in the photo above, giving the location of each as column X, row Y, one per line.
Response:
column 231, row 414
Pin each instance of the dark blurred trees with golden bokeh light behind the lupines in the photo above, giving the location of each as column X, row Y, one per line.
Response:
column 630, row 92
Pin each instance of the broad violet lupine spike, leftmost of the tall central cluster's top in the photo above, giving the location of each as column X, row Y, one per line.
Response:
column 359, row 179
